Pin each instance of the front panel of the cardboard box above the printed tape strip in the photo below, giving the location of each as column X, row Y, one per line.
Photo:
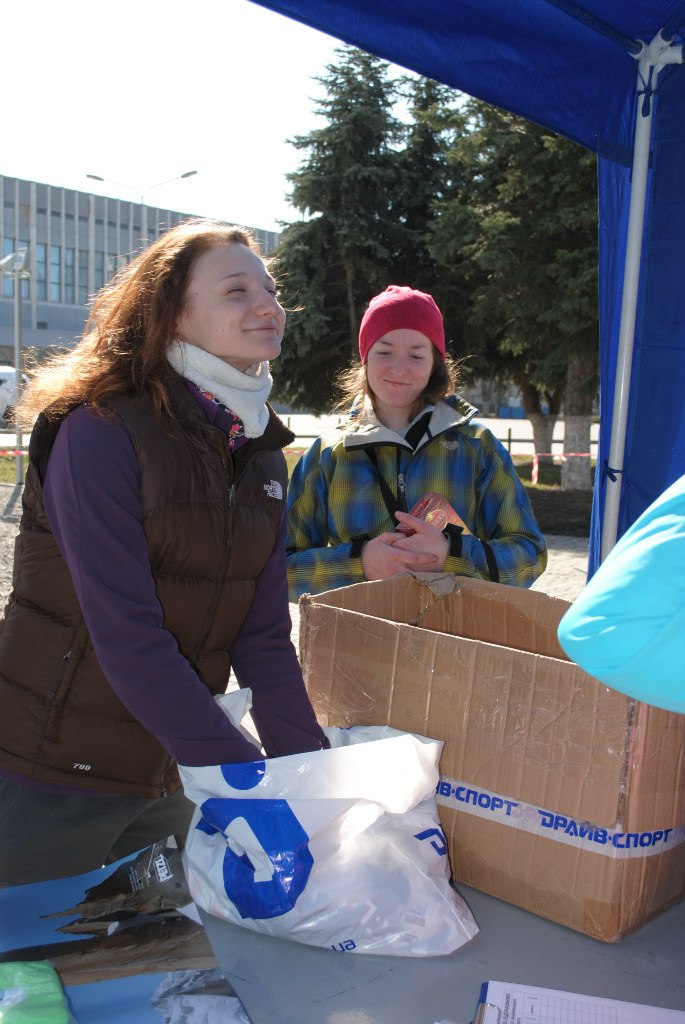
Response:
column 524, row 726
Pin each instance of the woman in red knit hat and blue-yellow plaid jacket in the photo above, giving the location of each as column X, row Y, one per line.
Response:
column 410, row 445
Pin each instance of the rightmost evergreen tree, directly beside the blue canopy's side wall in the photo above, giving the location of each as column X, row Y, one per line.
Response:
column 526, row 222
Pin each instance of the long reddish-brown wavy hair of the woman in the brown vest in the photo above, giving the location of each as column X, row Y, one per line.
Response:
column 132, row 324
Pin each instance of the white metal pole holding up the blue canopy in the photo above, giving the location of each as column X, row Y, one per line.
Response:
column 654, row 59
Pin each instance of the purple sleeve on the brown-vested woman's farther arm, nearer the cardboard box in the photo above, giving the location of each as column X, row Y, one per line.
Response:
column 265, row 659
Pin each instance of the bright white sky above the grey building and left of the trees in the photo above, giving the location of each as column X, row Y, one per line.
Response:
column 140, row 92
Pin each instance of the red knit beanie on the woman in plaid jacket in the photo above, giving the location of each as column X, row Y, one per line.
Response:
column 400, row 308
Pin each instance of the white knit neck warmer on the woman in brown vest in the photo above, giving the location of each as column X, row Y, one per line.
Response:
column 244, row 394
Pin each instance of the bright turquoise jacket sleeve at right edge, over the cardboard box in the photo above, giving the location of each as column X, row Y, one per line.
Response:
column 627, row 628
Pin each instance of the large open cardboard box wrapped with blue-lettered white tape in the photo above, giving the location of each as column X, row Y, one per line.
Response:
column 558, row 794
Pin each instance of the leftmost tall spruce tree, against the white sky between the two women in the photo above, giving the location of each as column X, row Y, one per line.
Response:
column 337, row 259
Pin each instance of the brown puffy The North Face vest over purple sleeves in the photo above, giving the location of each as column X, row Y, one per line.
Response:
column 211, row 523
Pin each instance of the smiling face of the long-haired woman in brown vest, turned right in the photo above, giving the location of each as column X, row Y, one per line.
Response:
column 231, row 308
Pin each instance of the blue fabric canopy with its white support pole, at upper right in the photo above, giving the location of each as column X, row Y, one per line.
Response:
column 609, row 75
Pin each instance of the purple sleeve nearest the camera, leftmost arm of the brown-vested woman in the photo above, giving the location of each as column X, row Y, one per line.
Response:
column 92, row 500
